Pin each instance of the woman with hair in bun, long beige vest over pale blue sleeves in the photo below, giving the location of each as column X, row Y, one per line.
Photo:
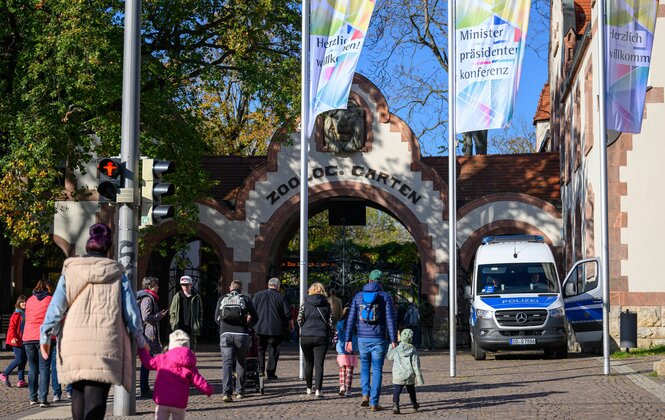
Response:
column 94, row 348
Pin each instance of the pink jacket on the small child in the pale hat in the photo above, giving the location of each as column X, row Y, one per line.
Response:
column 176, row 370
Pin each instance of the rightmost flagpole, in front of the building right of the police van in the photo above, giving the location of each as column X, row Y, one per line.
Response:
column 604, row 233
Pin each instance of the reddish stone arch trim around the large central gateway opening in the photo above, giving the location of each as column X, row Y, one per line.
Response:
column 283, row 219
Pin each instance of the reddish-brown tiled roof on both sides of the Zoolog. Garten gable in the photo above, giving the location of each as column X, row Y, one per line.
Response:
column 535, row 174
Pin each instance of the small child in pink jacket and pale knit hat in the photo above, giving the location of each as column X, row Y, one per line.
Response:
column 176, row 370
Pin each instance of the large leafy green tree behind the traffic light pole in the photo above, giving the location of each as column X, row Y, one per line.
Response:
column 61, row 91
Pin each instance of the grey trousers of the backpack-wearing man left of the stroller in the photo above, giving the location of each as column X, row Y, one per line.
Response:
column 234, row 349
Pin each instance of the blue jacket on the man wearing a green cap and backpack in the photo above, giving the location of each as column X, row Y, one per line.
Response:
column 385, row 328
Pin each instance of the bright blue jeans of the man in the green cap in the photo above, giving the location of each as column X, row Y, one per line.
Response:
column 372, row 355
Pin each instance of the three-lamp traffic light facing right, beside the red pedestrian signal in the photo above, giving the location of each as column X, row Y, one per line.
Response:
column 152, row 191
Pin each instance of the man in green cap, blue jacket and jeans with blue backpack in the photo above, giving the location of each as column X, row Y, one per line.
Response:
column 372, row 313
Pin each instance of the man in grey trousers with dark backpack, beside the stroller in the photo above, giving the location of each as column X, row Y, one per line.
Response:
column 235, row 314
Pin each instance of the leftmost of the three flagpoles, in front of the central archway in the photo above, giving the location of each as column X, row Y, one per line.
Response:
column 304, row 124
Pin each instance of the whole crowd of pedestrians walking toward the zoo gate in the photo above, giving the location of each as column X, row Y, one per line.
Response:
column 94, row 344
